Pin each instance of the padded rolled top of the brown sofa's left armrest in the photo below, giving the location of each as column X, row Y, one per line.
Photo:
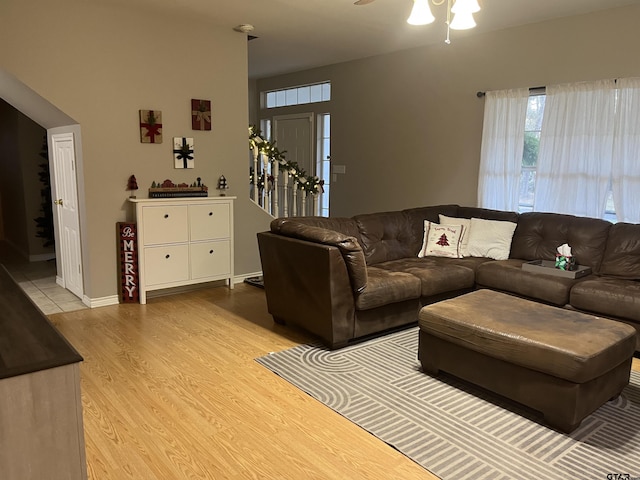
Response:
column 347, row 245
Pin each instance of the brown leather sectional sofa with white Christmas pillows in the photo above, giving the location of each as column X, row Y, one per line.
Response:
column 345, row 279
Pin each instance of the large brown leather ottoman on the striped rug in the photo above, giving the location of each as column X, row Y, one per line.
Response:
column 560, row 362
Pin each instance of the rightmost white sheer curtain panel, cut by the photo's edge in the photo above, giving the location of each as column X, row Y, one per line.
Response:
column 626, row 152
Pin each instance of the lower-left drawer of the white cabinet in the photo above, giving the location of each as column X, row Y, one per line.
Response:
column 166, row 264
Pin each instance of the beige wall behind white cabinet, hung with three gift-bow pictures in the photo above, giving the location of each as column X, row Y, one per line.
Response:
column 100, row 65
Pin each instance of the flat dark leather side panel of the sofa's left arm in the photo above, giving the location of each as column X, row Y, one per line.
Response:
column 307, row 284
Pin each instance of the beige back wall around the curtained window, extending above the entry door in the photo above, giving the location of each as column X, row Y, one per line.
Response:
column 408, row 125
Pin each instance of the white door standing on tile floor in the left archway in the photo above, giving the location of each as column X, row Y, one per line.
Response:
column 65, row 197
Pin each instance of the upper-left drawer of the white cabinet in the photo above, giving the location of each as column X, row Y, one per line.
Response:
column 165, row 224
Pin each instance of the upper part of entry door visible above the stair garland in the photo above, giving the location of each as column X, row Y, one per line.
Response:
column 294, row 133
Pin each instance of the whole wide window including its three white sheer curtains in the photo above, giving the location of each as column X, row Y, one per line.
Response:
column 571, row 149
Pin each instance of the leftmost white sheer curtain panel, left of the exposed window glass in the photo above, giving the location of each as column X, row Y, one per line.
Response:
column 505, row 113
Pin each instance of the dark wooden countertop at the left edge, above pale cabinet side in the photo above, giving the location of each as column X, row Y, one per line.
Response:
column 28, row 341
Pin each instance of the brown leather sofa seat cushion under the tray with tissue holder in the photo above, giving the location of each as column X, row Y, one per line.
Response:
column 508, row 276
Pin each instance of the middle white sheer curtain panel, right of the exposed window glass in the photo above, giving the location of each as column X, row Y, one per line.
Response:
column 576, row 146
